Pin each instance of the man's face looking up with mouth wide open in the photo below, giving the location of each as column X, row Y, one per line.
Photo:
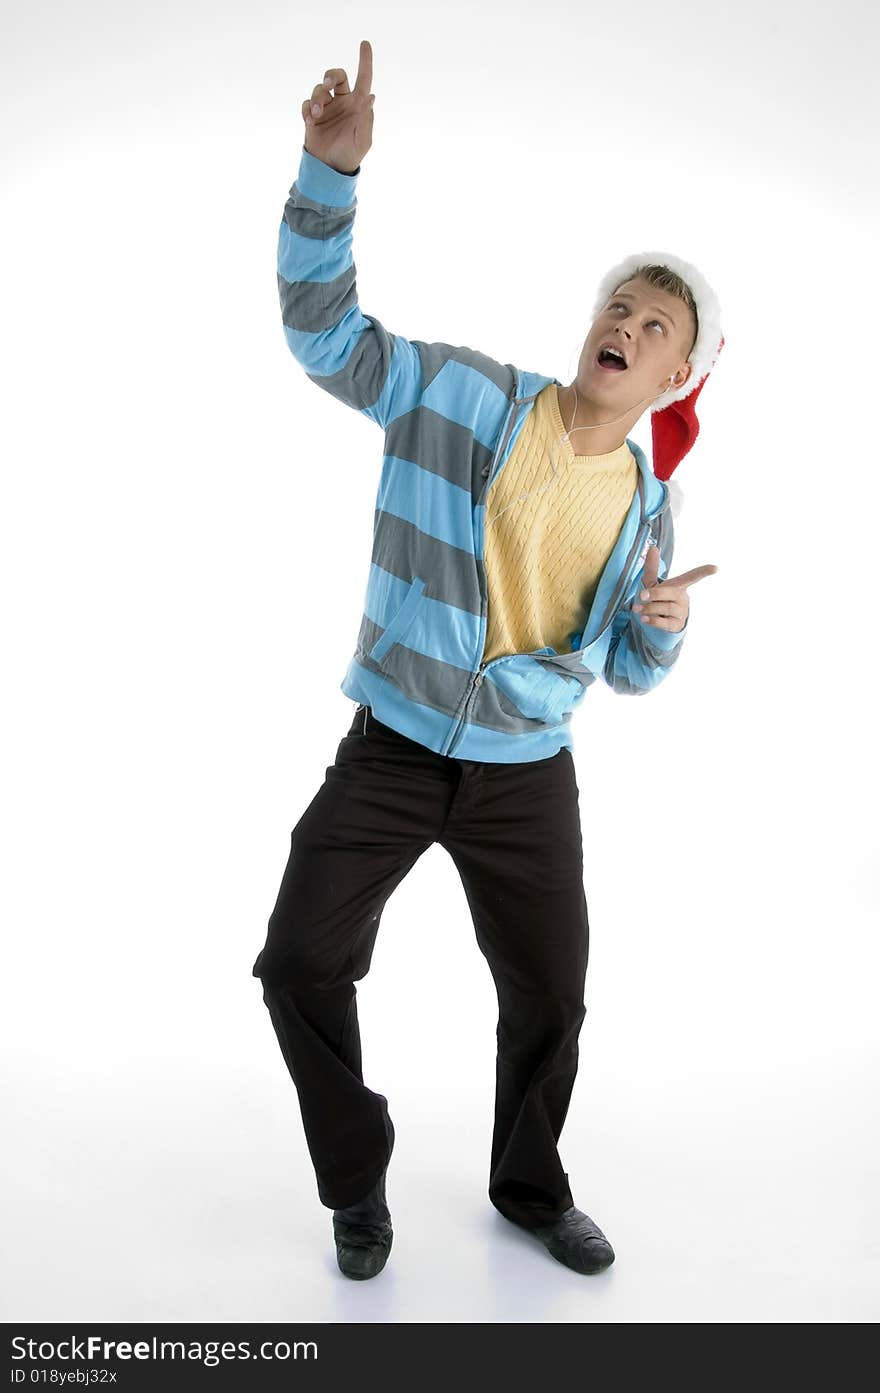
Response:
column 655, row 334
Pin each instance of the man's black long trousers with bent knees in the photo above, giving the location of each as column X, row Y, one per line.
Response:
column 514, row 834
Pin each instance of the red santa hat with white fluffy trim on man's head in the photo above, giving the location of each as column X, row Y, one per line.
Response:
column 675, row 426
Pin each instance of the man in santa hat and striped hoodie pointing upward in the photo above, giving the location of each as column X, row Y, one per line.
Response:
column 503, row 584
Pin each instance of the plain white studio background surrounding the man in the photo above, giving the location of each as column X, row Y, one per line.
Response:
column 187, row 530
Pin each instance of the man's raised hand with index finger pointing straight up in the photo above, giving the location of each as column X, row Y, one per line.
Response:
column 342, row 132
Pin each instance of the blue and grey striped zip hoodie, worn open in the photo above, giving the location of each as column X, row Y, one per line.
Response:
column 452, row 417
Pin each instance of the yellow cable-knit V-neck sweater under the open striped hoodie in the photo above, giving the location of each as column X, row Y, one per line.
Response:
column 545, row 554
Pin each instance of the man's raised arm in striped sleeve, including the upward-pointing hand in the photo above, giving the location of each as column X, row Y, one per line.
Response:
column 349, row 355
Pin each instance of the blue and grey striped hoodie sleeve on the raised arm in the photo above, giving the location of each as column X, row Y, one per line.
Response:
column 349, row 355
